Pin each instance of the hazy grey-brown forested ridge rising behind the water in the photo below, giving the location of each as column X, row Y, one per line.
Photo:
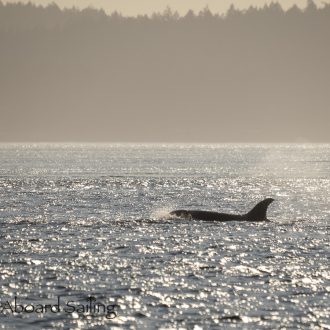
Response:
column 262, row 74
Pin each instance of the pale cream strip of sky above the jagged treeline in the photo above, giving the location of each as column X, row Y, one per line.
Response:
column 133, row 7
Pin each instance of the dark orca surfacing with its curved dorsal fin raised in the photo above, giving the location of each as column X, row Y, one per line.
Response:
column 258, row 213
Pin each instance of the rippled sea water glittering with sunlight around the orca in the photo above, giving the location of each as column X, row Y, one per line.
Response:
column 88, row 225
